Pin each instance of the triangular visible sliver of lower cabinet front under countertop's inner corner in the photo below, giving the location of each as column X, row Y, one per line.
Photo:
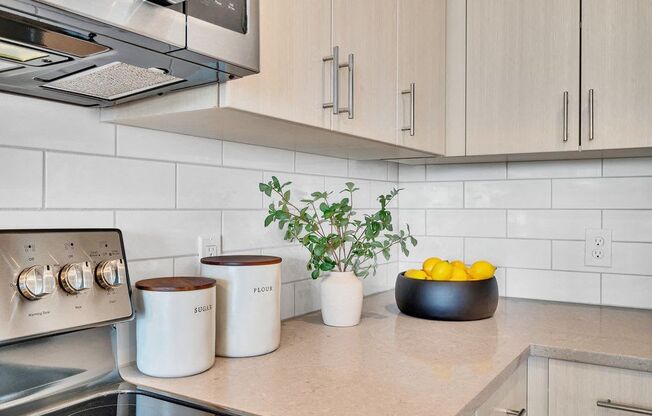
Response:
column 511, row 396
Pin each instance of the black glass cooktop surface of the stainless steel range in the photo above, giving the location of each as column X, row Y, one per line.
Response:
column 132, row 404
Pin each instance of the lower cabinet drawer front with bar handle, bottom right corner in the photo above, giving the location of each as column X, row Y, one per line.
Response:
column 584, row 390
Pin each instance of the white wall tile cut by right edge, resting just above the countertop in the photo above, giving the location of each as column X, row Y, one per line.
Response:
column 627, row 291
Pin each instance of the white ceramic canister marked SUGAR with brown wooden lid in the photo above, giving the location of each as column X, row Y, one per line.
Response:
column 175, row 326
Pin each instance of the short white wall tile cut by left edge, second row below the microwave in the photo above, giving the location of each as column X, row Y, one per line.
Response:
column 21, row 178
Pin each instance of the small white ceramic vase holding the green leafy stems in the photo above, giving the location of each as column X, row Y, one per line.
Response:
column 341, row 299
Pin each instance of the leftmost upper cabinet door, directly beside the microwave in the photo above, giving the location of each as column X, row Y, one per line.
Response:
column 293, row 81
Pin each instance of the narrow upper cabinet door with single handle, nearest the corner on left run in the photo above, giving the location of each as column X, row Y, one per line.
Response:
column 421, row 61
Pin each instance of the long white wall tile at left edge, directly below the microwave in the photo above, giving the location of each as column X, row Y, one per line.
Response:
column 27, row 122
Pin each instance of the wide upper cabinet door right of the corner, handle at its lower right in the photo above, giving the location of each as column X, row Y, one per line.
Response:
column 522, row 55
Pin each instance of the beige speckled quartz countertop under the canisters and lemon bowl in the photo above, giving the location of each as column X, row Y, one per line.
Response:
column 393, row 364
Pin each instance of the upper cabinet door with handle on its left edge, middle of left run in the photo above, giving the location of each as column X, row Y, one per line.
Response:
column 367, row 29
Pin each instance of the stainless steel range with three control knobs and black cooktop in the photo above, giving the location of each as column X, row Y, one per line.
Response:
column 61, row 292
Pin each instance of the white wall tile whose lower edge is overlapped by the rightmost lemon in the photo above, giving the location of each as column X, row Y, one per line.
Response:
column 534, row 254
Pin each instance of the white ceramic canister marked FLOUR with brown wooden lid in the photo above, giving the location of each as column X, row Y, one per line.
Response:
column 248, row 312
